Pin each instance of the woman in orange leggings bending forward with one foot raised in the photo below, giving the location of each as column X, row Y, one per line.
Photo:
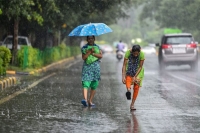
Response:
column 133, row 72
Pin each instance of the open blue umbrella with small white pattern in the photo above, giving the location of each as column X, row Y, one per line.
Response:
column 91, row 29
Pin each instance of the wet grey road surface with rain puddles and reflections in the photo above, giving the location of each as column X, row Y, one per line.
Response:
column 167, row 102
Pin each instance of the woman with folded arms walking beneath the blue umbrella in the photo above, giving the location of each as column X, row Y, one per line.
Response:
column 91, row 54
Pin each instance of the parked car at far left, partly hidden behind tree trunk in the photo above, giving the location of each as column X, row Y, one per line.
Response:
column 22, row 40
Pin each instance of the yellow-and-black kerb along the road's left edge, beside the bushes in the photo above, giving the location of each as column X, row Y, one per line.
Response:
column 12, row 76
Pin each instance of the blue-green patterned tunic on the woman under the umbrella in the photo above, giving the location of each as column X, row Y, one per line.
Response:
column 91, row 66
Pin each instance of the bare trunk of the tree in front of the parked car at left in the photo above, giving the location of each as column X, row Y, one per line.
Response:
column 15, row 41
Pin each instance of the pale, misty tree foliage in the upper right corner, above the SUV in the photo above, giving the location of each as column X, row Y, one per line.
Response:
column 182, row 14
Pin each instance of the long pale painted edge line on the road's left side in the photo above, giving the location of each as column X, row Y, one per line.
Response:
column 25, row 89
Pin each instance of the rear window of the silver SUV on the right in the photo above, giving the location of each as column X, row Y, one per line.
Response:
column 179, row 40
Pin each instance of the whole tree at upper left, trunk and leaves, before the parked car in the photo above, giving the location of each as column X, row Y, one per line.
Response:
column 14, row 10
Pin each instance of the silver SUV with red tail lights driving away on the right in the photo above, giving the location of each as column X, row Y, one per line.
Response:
column 178, row 49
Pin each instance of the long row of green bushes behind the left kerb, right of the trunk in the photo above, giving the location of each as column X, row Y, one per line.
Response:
column 29, row 57
